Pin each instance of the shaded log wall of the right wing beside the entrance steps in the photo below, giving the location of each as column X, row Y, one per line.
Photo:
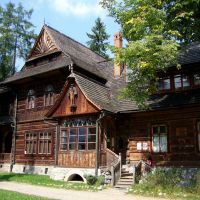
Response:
column 181, row 127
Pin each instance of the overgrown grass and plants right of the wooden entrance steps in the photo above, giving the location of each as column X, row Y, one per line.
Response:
column 167, row 184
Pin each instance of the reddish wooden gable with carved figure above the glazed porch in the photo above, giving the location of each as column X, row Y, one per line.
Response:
column 72, row 101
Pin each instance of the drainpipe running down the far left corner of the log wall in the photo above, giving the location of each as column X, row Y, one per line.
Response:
column 14, row 126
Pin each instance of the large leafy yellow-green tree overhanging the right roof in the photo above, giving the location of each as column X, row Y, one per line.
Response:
column 154, row 32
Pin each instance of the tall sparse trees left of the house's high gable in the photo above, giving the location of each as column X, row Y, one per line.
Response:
column 16, row 36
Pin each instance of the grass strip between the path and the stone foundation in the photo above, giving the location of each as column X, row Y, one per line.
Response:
column 46, row 181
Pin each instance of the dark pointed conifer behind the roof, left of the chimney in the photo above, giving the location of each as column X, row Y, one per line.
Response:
column 98, row 38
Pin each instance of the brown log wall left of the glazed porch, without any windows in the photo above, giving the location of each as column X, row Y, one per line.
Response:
column 32, row 120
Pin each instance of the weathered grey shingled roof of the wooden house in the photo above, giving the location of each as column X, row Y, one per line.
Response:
column 105, row 96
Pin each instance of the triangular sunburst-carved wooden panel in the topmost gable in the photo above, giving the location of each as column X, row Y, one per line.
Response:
column 43, row 45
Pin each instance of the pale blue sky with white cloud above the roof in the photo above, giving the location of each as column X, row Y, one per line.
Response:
column 74, row 18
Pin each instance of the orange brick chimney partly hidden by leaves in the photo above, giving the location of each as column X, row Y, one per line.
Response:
column 118, row 68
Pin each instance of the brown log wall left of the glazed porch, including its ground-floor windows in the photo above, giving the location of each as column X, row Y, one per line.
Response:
column 35, row 137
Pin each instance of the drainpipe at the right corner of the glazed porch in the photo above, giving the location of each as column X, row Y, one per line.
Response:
column 102, row 115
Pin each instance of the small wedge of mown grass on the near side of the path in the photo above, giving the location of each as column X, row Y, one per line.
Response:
column 9, row 195
